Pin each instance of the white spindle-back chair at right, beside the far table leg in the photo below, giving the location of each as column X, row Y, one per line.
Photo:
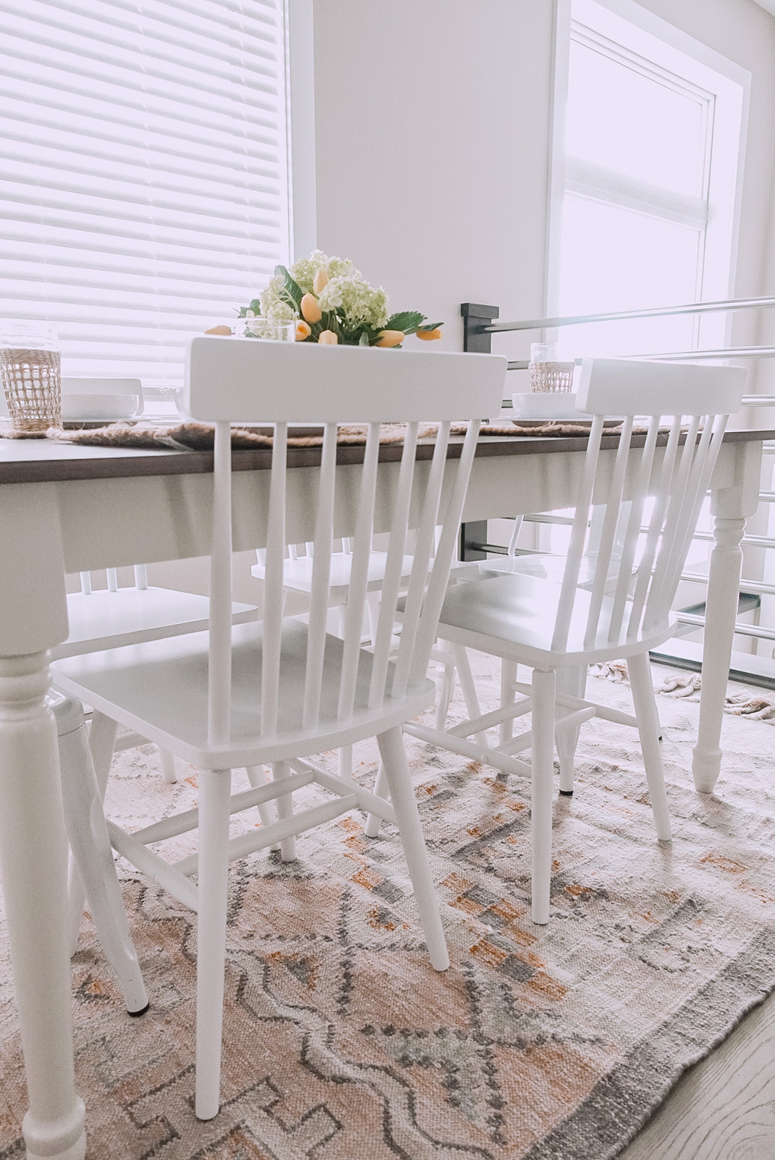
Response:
column 609, row 606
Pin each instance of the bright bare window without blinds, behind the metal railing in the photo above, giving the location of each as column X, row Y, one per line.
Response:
column 654, row 134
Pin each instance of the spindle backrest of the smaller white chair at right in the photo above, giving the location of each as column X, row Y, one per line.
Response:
column 635, row 568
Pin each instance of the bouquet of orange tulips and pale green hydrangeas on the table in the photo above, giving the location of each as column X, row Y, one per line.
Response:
column 332, row 303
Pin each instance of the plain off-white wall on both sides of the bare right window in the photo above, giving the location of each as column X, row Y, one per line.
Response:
column 432, row 121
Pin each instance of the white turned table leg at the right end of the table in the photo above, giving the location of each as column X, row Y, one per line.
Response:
column 730, row 506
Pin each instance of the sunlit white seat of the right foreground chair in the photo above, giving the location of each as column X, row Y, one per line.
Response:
column 513, row 617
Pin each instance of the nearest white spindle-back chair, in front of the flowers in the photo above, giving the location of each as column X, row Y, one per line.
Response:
column 281, row 691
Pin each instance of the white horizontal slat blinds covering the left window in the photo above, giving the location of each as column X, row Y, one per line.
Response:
column 144, row 177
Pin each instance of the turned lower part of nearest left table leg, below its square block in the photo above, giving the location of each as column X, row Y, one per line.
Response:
column 34, row 871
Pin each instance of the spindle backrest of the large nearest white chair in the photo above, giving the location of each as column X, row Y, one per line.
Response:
column 250, row 381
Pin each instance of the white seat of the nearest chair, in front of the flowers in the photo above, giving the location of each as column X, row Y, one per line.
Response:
column 161, row 690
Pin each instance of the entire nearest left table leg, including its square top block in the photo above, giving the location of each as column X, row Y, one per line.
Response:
column 33, row 846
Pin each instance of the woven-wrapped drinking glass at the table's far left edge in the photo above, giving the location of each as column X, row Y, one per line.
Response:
column 32, row 385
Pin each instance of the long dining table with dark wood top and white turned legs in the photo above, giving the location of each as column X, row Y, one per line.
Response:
column 67, row 509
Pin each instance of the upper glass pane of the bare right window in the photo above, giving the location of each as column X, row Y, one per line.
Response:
column 634, row 124
